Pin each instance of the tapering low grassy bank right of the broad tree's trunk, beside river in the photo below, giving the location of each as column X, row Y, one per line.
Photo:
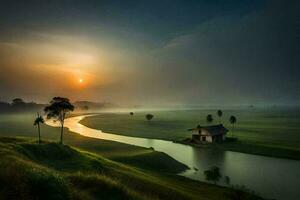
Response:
column 142, row 158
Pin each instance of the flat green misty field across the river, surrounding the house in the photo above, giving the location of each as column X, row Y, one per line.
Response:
column 273, row 132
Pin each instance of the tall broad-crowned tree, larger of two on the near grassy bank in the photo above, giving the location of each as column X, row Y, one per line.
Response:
column 57, row 110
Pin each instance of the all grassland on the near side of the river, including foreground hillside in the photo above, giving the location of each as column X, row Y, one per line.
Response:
column 91, row 169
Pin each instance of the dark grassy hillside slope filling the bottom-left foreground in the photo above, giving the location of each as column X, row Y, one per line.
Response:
column 52, row 171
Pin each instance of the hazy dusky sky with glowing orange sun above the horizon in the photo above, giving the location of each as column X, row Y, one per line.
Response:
column 158, row 52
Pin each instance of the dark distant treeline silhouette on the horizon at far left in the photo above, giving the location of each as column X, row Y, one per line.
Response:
column 19, row 105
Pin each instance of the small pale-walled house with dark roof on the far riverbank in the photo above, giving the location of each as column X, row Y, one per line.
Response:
column 215, row 133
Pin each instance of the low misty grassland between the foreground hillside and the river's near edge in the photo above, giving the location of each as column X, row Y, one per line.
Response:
column 21, row 125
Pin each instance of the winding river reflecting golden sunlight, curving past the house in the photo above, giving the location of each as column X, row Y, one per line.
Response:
column 270, row 177
